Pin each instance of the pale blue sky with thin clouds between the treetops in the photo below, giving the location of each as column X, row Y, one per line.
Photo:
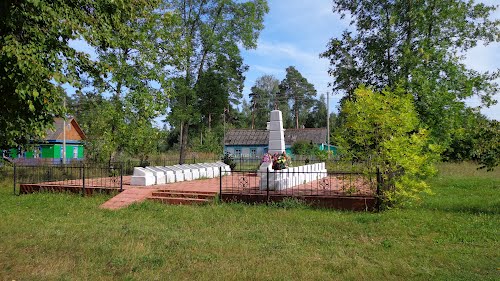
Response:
column 297, row 31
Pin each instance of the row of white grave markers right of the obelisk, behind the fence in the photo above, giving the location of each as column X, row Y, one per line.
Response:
column 294, row 176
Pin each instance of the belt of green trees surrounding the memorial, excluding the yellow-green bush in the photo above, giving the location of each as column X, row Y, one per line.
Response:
column 180, row 60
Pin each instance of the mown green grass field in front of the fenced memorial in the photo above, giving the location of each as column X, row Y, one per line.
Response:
column 452, row 235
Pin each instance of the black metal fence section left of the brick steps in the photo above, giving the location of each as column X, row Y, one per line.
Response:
column 74, row 178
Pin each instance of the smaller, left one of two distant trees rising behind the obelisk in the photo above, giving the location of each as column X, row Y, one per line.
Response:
column 262, row 99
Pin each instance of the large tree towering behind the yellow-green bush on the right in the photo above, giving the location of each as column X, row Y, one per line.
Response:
column 417, row 45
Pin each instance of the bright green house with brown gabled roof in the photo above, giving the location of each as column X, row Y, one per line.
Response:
column 51, row 148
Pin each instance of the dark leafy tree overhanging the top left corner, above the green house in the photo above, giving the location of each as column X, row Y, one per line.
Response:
column 35, row 58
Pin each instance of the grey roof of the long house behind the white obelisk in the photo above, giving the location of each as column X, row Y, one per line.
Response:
column 261, row 137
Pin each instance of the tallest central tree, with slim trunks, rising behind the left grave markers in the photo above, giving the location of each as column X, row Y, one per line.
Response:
column 210, row 33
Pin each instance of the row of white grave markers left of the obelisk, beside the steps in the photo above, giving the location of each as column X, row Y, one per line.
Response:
column 177, row 173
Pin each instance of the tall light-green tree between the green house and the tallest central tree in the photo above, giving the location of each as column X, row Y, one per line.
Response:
column 132, row 75
